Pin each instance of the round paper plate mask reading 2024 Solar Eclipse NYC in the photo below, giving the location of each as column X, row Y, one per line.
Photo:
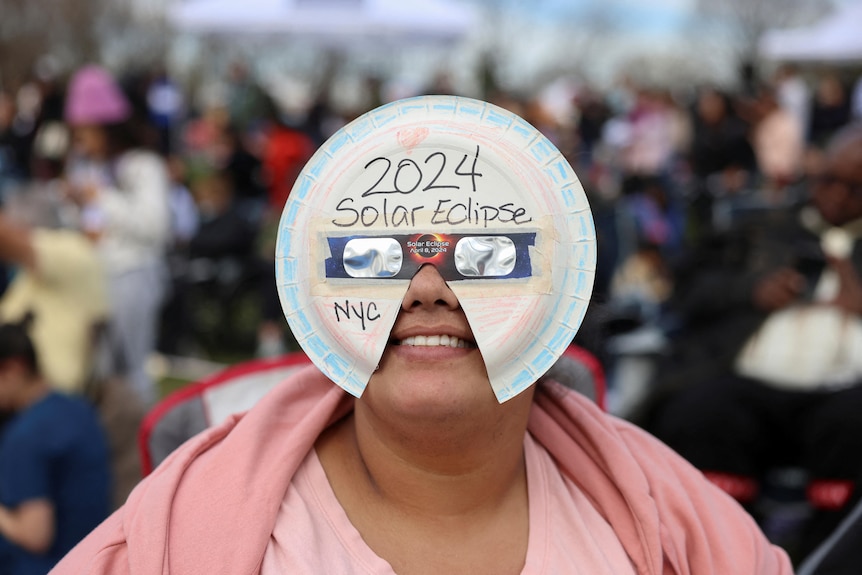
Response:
column 461, row 184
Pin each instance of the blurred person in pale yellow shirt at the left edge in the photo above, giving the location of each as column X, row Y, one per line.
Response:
column 60, row 280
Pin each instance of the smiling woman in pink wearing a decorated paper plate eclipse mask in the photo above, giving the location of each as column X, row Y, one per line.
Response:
column 434, row 260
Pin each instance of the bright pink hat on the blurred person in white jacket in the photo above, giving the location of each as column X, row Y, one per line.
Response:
column 95, row 98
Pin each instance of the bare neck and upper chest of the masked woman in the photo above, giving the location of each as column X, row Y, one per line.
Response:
column 434, row 500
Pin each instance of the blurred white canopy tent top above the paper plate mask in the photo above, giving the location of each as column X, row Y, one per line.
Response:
column 333, row 23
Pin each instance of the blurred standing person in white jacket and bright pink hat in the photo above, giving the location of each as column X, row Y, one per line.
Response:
column 123, row 190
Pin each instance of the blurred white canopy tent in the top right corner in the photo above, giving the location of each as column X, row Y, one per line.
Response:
column 837, row 38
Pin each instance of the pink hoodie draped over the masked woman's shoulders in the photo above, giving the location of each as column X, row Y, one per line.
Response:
column 210, row 507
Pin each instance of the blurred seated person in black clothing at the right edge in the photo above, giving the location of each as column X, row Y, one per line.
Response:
column 770, row 349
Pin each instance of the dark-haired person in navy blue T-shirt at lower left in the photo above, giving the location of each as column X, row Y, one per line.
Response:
column 54, row 464
